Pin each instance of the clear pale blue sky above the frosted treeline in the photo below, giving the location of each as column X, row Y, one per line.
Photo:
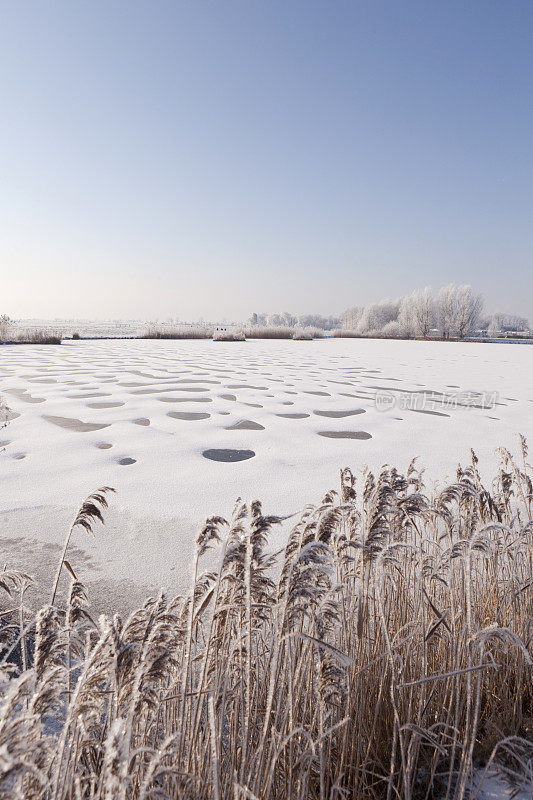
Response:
column 211, row 158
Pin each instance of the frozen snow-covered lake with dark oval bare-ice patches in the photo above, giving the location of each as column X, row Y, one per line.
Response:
column 164, row 423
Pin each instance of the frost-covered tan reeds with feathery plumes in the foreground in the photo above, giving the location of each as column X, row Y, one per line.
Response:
column 385, row 653
